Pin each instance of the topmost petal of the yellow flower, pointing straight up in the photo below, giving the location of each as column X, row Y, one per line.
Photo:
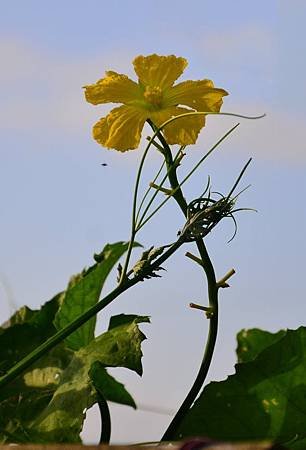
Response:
column 161, row 71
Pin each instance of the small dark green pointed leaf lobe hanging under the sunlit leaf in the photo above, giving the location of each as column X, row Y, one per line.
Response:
column 108, row 387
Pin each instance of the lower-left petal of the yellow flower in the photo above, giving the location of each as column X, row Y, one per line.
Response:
column 120, row 129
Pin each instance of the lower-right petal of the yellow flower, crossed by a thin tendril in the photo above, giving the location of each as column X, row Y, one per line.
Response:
column 183, row 131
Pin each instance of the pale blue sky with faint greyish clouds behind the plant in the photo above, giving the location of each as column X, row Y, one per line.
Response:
column 59, row 205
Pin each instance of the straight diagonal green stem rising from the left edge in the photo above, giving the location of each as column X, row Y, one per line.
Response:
column 28, row 360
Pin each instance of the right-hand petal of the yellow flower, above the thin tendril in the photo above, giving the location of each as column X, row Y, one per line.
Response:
column 200, row 95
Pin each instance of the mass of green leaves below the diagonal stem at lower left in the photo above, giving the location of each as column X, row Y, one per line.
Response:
column 49, row 402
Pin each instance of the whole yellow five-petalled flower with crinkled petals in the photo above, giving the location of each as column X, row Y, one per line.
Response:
column 154, row 97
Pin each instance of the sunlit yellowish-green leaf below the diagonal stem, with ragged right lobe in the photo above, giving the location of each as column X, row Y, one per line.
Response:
column 62, row 419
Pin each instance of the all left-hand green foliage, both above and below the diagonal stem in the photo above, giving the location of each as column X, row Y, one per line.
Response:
column 48, row 402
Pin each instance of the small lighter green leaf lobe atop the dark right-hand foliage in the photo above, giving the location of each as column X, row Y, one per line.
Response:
column 252, row 342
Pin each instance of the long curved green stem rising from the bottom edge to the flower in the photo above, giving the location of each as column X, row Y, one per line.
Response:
column 212, row 295
